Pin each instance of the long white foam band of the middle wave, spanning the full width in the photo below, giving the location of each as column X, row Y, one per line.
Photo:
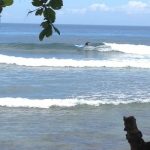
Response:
column 53, row 62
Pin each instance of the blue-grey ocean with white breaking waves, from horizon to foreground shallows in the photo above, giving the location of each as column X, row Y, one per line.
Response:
column 62, row 95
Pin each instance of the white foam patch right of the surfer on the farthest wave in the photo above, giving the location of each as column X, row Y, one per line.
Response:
column 130, row 48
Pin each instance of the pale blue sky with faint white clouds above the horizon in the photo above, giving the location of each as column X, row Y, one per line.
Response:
column 91, row 12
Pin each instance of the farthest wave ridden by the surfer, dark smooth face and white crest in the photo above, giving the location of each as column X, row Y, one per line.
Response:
column 100, row 47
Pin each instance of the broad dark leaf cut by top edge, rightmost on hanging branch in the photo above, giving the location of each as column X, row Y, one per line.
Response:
column 55, row 4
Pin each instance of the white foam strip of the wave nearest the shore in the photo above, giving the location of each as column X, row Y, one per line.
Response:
column 46, row 103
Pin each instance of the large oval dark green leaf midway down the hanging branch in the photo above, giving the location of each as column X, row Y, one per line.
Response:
column 50, row 15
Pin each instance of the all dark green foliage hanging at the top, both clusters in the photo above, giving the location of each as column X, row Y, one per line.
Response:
column 44, row 8
